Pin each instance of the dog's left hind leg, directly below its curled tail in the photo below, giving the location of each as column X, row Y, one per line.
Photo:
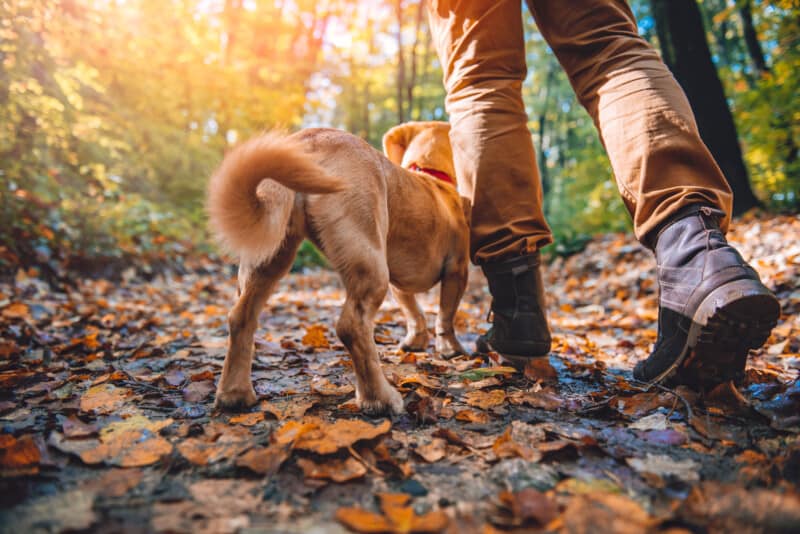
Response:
column 235, row 389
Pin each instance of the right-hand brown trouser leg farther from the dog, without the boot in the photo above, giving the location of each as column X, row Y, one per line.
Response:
column 644, row 119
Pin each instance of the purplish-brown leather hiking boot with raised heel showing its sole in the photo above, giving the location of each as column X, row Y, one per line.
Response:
column 713, row 307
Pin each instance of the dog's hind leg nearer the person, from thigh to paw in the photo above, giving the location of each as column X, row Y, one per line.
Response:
column 366, row 283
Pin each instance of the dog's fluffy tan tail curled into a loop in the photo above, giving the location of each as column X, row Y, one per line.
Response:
column 249, row 205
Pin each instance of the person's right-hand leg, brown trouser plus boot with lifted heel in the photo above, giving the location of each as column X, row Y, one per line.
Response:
column 712, row 305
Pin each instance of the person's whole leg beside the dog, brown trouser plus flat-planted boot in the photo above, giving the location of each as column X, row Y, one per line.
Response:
column 482, row 51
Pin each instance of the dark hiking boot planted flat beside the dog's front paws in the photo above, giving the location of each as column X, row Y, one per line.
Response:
column 519, row 329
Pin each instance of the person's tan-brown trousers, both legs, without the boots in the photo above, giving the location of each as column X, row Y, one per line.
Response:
column 643, row 116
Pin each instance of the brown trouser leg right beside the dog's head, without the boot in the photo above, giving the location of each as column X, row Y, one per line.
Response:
column 481, row 47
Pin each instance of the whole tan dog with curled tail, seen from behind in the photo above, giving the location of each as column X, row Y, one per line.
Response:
column 377, row 223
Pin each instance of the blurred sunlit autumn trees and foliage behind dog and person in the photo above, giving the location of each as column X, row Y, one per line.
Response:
column 113, row 113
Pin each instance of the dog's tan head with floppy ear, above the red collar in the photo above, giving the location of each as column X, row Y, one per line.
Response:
column 423, row 145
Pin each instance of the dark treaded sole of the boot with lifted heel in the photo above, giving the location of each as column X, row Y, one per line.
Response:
column 733, row 319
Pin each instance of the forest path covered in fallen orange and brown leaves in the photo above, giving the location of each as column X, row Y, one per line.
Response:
column 107, row 424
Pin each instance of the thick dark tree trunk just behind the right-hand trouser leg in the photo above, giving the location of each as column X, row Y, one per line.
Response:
column 685, row 50
